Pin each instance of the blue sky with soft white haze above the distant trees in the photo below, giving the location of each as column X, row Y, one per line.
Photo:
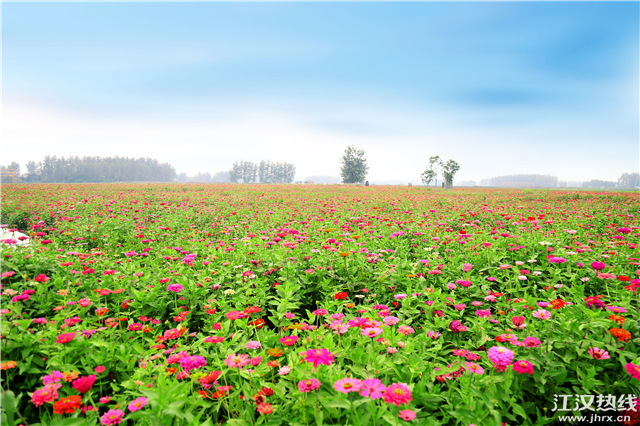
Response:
column 502, row 88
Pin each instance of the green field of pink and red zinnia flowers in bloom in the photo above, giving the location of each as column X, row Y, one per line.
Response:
column 281, row 304
